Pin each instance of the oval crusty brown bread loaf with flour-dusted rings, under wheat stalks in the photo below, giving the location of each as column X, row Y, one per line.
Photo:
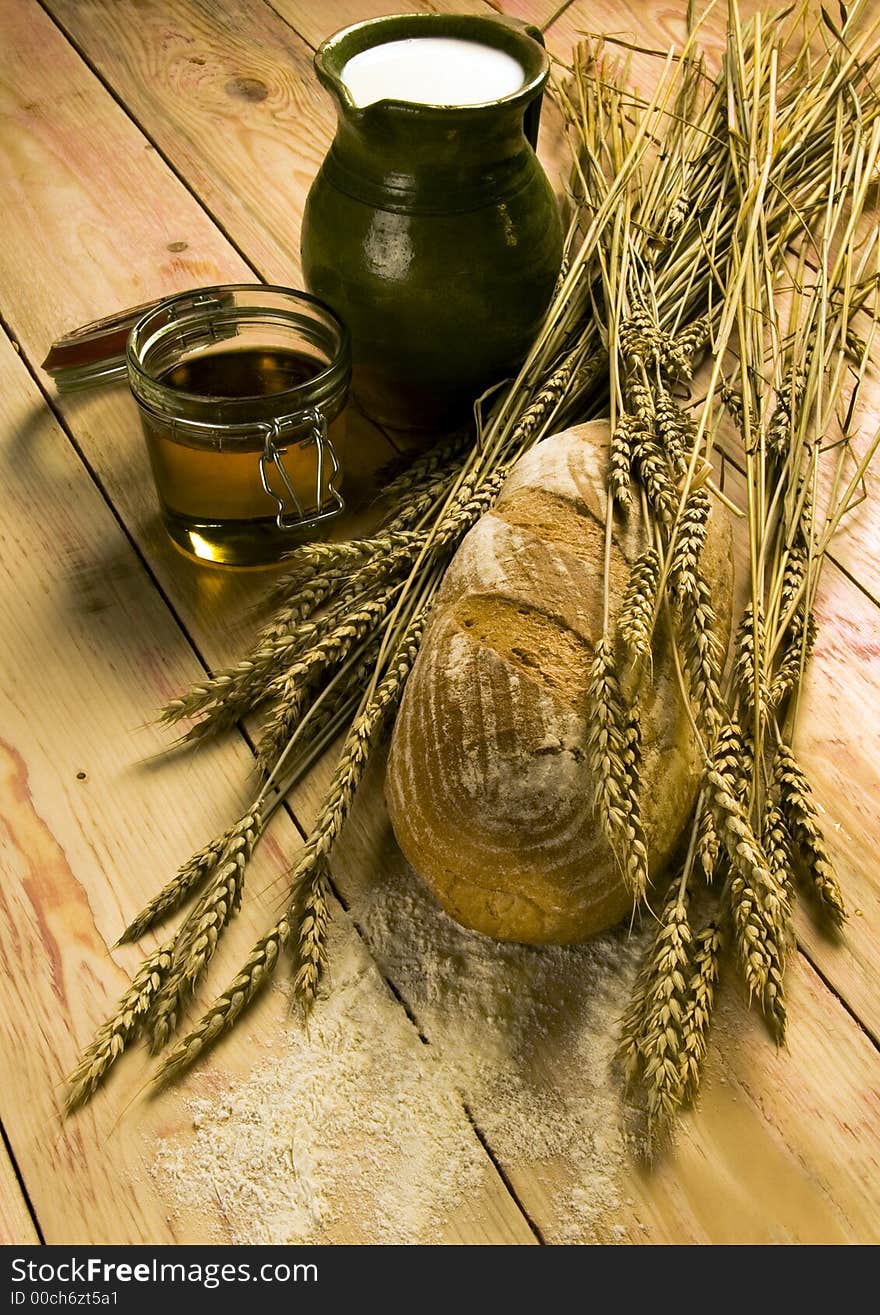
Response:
column 489, row 784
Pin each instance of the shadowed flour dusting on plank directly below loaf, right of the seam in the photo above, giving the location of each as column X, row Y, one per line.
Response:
column 528, row 1034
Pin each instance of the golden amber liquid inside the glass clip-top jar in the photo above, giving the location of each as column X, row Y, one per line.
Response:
column 214, row 502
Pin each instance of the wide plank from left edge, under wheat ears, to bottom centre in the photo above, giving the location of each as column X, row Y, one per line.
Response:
column 89, row 824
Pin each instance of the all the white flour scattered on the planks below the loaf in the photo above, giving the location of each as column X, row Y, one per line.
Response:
column 345, row 1124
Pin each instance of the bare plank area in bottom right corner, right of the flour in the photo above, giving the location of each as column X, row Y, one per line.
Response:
column 785, row 1146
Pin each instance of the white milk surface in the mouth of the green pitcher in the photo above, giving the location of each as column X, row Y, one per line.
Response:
column 432, row 72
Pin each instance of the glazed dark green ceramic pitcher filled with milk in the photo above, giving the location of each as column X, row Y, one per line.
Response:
column 432, row 228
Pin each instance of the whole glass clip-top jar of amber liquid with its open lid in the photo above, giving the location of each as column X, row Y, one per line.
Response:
column 241, row 391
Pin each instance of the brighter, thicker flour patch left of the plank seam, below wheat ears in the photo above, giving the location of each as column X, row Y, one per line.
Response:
column 344, row 1122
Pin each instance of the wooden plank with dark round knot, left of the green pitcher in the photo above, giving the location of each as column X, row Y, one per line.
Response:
column 228, row 95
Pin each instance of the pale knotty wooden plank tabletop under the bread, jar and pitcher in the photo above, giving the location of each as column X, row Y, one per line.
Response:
column 157, row 145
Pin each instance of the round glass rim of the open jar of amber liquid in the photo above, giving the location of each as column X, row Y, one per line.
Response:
column 203, row 302
